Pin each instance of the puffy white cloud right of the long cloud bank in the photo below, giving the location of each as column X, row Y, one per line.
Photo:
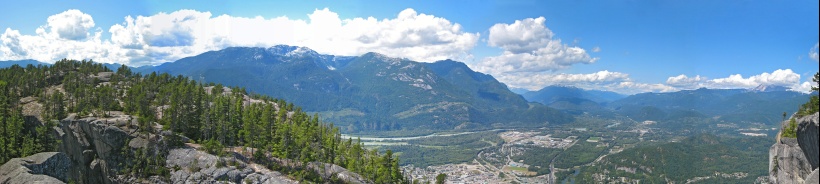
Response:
column 531, row 54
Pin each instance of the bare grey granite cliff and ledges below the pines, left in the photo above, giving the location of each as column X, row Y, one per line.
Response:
column 95, row 150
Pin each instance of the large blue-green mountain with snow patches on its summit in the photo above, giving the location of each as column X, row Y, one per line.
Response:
column 371, row 91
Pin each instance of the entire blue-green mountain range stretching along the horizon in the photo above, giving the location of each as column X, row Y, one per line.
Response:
column 377, row 92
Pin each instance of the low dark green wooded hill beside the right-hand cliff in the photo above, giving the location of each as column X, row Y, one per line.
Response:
column 695, row 156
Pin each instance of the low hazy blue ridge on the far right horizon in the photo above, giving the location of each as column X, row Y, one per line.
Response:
column 731, row 105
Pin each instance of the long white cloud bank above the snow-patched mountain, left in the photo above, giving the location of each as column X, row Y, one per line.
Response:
column 164, row 37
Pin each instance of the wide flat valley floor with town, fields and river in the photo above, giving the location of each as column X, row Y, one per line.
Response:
column 555, row 153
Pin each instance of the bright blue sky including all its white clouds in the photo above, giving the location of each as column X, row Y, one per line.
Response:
column 630, row 46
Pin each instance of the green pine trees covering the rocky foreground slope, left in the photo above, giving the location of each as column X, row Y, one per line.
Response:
column 210, row 114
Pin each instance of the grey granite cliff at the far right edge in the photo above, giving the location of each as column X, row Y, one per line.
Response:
column 795, row 160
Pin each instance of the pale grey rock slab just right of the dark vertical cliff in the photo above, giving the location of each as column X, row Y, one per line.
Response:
column 193, row 166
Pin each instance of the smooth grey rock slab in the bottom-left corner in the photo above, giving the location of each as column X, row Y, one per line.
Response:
column 46, row 167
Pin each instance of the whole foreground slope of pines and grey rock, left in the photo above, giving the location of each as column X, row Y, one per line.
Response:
column 160, row 114
